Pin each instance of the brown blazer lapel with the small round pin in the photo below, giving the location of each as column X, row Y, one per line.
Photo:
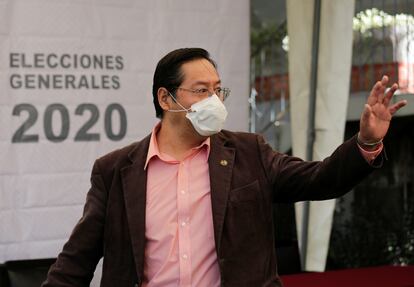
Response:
column 221, row 161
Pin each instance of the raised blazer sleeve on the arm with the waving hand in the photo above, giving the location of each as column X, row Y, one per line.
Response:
column 293, row 179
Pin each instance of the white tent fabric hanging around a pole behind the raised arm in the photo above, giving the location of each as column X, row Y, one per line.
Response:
column 334, row 67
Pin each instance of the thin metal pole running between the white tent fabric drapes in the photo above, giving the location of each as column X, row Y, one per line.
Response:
column 311, row 121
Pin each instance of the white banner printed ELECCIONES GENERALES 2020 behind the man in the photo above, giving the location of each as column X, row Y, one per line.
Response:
column 76, row 82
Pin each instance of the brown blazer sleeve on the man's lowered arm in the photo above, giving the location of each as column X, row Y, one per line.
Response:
column 76, row 263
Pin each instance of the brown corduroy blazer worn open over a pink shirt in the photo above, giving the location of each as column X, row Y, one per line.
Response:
column 246, row 177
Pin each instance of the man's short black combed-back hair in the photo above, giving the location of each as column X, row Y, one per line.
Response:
column 168, row 73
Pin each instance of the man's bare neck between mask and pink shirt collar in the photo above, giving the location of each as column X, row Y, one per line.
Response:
column 176, row 141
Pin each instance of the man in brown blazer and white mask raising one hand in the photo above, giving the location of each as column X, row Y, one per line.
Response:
column 190, row 205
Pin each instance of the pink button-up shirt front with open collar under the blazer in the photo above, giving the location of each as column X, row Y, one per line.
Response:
column 180, row 247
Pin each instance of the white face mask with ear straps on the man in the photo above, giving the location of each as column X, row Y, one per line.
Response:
column 207, row 116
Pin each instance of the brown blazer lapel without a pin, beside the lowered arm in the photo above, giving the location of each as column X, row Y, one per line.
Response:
column 134, row 183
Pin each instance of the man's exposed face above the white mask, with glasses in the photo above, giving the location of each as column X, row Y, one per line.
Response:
column 198, row 74
